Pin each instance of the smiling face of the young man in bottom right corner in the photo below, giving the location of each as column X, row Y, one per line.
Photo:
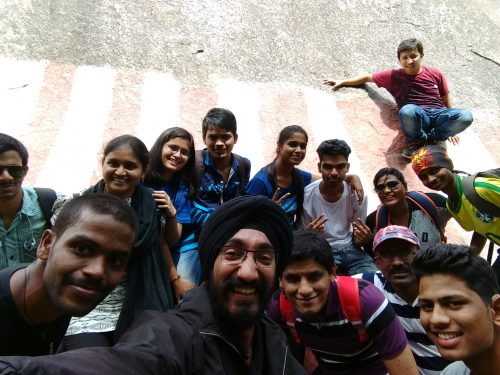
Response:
column 455, row 318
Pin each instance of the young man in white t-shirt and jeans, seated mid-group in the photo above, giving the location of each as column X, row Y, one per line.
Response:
column 331, row 209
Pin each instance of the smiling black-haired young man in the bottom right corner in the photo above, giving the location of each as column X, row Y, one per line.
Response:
column 460, row 308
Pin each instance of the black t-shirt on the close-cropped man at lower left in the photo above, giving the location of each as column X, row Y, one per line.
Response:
column 18, row 337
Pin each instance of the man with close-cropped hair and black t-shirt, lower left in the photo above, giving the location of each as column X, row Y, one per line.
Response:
column 80, row 260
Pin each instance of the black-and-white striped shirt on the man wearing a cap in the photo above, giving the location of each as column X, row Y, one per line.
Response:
column 428, row 359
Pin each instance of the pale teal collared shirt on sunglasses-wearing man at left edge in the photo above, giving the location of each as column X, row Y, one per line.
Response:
column 19, row 243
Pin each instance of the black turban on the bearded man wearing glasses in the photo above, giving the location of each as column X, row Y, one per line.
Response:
column 255, row 212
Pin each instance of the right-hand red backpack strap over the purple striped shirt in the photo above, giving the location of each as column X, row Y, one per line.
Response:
column 351, row 306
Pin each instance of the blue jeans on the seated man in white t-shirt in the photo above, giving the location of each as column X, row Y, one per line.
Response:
column 351, row 260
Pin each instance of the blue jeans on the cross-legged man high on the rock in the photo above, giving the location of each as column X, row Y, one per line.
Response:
column 432, row 124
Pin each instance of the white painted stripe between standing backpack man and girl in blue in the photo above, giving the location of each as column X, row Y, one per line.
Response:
column 242, row 98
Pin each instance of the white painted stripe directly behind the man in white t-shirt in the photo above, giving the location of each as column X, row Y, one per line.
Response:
column 327, row 123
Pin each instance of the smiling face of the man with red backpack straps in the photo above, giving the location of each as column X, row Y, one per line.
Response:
column 306, row 285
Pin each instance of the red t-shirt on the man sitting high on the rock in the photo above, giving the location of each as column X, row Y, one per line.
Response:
column 425, row 89
